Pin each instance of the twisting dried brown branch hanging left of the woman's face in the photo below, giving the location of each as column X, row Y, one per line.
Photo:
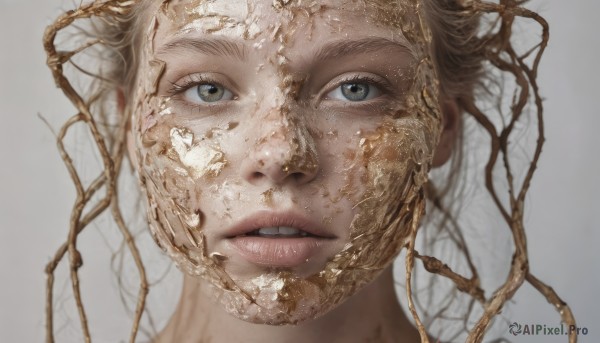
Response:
column 55, row 60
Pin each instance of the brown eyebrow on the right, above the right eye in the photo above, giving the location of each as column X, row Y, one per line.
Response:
column 345, row 48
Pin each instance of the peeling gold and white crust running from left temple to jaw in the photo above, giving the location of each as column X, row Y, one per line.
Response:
column 169, row 163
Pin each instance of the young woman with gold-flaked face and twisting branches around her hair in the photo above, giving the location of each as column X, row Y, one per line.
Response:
column 284, row 147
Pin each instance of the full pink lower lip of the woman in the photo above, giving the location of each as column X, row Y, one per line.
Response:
column 277, row 252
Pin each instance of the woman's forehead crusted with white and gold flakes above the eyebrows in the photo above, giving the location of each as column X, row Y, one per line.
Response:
column 286, row 19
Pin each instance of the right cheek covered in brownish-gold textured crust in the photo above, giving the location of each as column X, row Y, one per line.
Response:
column 393, row 162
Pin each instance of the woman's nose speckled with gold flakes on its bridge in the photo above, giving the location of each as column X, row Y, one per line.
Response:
column 283, row 155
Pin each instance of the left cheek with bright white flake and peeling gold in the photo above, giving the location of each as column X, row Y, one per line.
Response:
column 177, row 168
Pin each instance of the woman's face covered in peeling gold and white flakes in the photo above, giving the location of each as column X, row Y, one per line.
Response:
column 283, row 145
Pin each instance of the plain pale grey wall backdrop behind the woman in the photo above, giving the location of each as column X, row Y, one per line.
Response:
column 563, row 207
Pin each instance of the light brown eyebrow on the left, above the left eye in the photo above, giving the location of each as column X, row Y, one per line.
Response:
column 217, row 47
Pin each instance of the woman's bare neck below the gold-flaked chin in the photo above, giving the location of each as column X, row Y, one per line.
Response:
column 371, row 315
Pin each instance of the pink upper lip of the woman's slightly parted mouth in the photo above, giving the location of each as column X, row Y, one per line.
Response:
column 262, row 219
